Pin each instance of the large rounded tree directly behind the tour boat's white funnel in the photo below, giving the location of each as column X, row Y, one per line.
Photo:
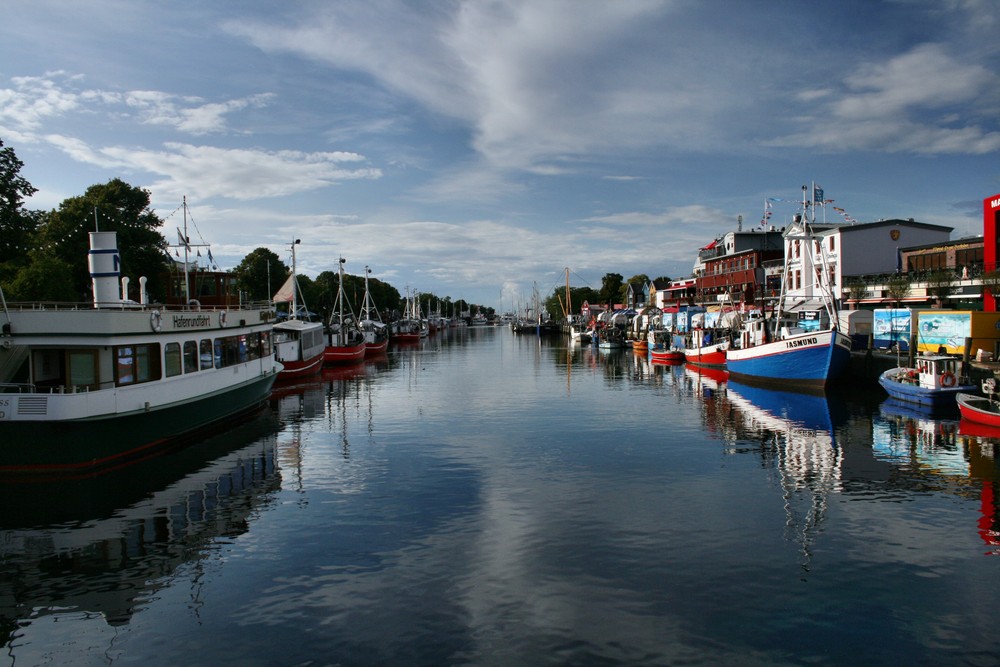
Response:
column 114, row 206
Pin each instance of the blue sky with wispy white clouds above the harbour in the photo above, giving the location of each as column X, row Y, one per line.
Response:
column 479, row 149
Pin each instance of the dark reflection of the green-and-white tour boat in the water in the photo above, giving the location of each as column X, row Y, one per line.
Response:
column 114, row 540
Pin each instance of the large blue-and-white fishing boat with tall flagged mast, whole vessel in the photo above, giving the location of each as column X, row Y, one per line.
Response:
column 797, row 344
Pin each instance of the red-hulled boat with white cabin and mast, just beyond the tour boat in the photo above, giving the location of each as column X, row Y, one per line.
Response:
column 298, row 343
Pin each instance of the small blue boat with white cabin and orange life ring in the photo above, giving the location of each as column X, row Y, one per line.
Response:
column 933, row 381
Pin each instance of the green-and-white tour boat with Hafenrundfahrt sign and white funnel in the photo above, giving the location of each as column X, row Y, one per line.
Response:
column 89, row 387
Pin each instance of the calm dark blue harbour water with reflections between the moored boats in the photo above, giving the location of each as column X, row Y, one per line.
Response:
column 490, row 499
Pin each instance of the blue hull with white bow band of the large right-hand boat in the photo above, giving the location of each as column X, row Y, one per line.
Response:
column 811, row 359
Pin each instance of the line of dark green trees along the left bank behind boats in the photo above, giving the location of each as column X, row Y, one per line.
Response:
column 43, row 254
